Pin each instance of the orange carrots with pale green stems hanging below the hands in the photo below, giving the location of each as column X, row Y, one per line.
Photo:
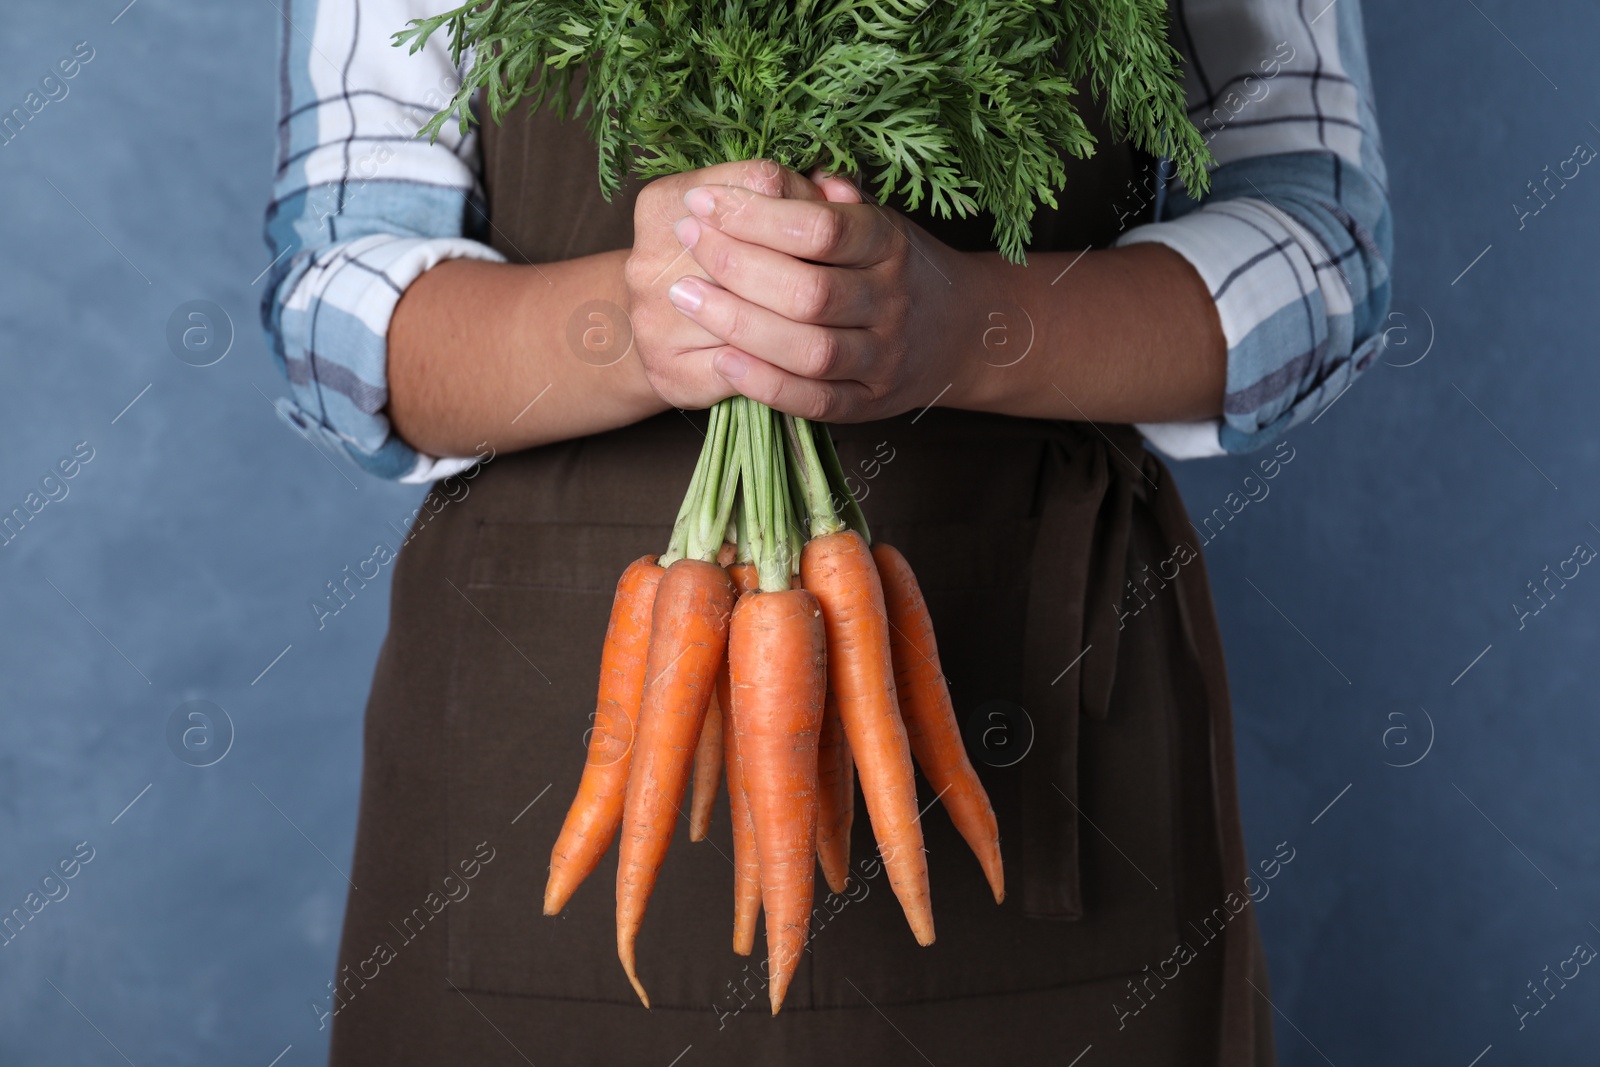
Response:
column 774, row 644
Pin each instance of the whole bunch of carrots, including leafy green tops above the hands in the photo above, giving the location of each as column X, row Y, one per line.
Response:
column 806, row 655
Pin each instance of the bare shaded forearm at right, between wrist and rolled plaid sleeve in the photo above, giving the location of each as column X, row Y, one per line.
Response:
column 1126, row 335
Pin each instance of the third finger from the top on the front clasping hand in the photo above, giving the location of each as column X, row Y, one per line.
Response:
column 798, row 348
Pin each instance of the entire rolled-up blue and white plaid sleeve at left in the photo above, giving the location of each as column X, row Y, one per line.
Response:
column 361, row 209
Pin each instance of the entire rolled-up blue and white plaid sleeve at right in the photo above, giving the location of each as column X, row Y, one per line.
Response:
column 1295, row 236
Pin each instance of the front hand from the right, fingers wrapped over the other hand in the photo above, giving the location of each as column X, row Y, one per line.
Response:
column 838, row 311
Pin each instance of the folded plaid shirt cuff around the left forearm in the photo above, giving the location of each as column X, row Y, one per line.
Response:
column 335, row 346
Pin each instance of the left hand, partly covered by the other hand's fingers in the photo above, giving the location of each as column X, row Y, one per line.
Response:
column 678, row 351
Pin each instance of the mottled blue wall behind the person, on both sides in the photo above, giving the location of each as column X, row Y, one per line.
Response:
column 1383, row 564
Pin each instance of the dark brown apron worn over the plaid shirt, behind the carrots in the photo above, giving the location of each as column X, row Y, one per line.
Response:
column 1078, row 636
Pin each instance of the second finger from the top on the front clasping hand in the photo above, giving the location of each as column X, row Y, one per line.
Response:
column 798, row 290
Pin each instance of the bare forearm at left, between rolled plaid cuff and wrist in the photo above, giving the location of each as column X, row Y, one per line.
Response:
column 474, row 345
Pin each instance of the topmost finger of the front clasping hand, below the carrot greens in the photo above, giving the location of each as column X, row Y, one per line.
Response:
column 842, row 234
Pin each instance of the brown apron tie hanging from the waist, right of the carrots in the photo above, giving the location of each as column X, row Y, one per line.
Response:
column 1078, row 601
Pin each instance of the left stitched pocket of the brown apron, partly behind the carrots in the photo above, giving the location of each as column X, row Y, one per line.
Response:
column 521, row 705
